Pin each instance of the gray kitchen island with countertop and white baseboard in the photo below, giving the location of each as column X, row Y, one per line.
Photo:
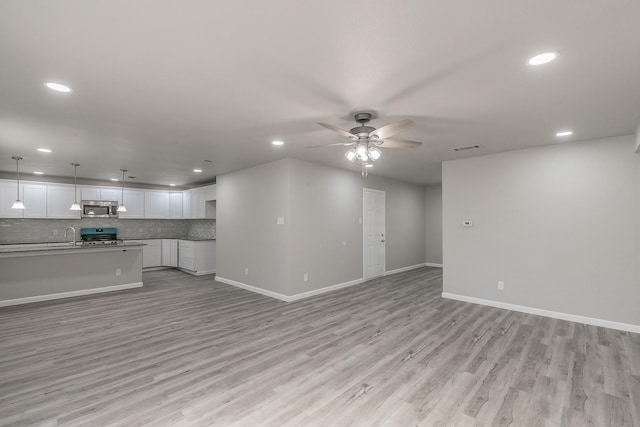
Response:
column 31, row 273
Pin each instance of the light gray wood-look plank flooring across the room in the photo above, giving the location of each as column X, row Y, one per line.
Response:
column 187, row 350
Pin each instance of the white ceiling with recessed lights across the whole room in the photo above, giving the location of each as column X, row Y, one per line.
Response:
column 159, row 86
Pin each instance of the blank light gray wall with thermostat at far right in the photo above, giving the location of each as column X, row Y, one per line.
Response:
column 557, row 224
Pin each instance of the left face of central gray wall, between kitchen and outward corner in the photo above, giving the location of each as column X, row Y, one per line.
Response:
column 248, row 203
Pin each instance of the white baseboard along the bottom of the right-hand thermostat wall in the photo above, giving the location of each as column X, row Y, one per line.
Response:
column 547, row 313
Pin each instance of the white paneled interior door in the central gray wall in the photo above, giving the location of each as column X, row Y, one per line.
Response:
column 374, row 234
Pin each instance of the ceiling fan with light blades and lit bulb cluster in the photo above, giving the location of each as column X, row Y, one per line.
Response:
column 366, row 141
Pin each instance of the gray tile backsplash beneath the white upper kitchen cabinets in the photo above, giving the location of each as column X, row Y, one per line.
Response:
column 52, row 230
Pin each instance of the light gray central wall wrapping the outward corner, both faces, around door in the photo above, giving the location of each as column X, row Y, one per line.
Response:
column 321, row 237
